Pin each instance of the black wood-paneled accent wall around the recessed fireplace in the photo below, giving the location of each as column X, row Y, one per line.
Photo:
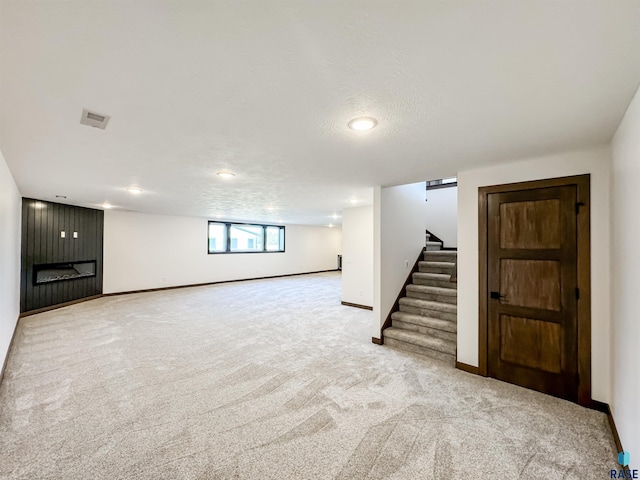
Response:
column 42, row 223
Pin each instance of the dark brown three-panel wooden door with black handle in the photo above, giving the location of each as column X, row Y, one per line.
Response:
column 532, row 287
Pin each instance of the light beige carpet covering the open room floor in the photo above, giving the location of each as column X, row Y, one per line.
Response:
column 270, row 379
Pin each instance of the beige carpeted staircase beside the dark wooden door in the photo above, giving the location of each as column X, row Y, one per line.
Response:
column 426, row 323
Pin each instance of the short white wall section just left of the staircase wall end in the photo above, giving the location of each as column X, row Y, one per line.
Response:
column 357, row 255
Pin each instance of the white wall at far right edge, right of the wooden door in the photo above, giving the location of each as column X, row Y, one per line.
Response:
column 625, row 280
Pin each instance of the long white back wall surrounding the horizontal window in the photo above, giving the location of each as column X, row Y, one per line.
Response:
column 144, row 251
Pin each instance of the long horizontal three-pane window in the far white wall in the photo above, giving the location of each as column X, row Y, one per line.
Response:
column 225, row 237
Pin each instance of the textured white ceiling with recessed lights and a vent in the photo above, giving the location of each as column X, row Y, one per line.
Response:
column 266, row 88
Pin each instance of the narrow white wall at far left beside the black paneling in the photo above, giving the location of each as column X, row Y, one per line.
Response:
column 10, row 231
